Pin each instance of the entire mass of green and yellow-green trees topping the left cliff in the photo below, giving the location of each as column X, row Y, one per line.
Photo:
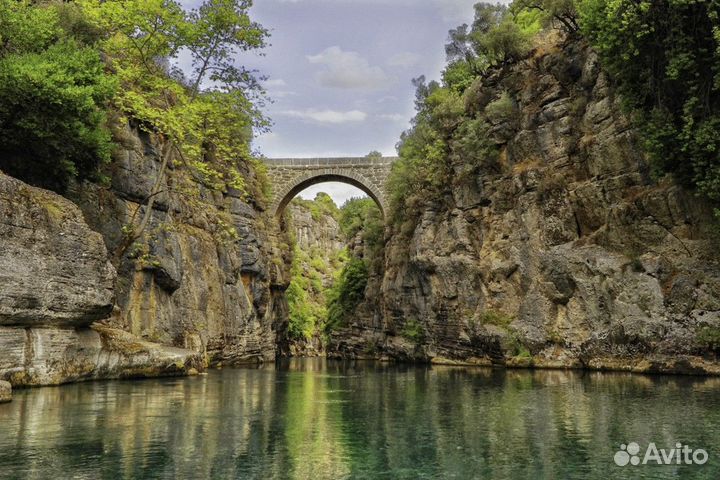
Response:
column 61, row 64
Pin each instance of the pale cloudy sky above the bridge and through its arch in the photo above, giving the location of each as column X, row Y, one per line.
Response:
column 339, row 73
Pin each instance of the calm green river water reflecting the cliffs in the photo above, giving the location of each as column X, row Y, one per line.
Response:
column 308, row 419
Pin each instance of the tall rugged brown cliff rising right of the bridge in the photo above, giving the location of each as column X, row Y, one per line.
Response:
column 571, row 256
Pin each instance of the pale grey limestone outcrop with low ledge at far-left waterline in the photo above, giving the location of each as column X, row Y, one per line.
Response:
column 56, row 281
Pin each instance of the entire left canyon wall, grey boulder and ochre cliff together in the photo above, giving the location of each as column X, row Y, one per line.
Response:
column 202, row 284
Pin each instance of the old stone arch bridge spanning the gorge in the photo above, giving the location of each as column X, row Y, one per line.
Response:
column 290, row 176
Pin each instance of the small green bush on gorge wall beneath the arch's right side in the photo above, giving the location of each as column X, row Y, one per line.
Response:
column 346, row 293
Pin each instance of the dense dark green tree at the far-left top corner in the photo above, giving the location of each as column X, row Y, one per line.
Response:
column 53, row 93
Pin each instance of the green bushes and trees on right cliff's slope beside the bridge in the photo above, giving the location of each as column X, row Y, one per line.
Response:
column 448, row 140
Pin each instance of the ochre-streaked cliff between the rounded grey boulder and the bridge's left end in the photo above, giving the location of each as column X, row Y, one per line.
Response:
column 207, row 274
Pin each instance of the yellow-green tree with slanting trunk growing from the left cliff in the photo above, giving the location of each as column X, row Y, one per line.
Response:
column 206, row 115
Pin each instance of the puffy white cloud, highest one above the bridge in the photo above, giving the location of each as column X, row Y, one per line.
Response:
column 348, row 70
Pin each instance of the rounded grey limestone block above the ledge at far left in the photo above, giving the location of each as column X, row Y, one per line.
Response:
column 54, row 270
